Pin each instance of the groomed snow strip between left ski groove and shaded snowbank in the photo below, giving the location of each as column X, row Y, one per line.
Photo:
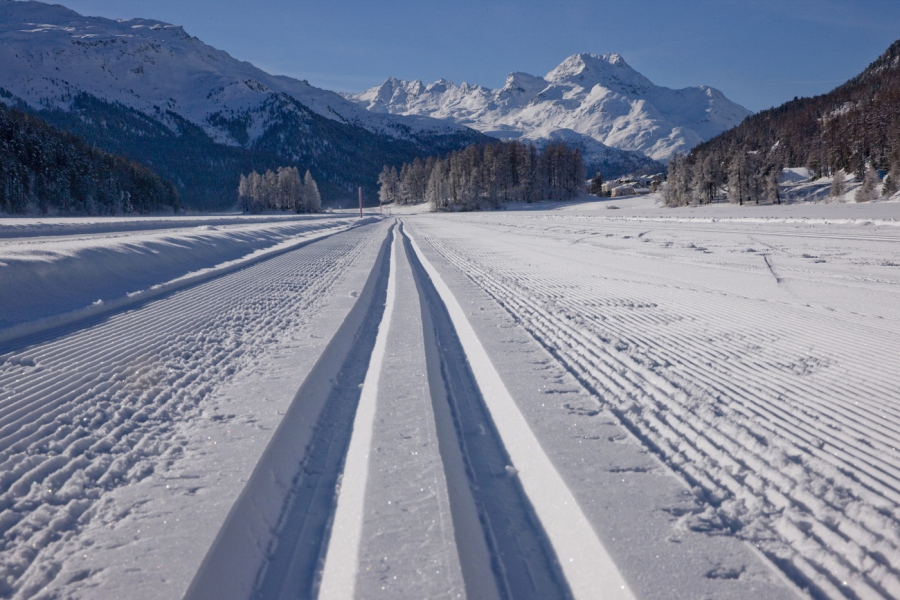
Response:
column 124, row 439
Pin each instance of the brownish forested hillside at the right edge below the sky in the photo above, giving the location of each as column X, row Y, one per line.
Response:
column 854, row 128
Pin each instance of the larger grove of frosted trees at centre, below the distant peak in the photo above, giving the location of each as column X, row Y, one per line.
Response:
column 486, row 175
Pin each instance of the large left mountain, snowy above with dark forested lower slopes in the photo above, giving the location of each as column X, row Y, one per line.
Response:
column 159, row 84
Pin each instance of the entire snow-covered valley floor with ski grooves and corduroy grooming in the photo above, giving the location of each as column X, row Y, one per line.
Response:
column 553, row 401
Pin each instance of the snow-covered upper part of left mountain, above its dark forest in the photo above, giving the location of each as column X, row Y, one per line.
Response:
column 49, row 53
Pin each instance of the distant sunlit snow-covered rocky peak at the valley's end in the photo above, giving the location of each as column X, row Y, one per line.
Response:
column 587, row 96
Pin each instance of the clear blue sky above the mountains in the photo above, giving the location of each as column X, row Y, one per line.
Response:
column 759, row 52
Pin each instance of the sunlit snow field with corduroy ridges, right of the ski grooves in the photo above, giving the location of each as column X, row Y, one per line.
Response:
column 752, row 358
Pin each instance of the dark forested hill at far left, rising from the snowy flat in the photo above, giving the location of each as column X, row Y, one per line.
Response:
column 45, row 170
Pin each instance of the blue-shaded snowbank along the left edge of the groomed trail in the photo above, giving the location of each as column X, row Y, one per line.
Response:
column 50, row 282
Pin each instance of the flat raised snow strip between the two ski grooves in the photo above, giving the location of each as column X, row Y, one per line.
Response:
column 407, row 546
